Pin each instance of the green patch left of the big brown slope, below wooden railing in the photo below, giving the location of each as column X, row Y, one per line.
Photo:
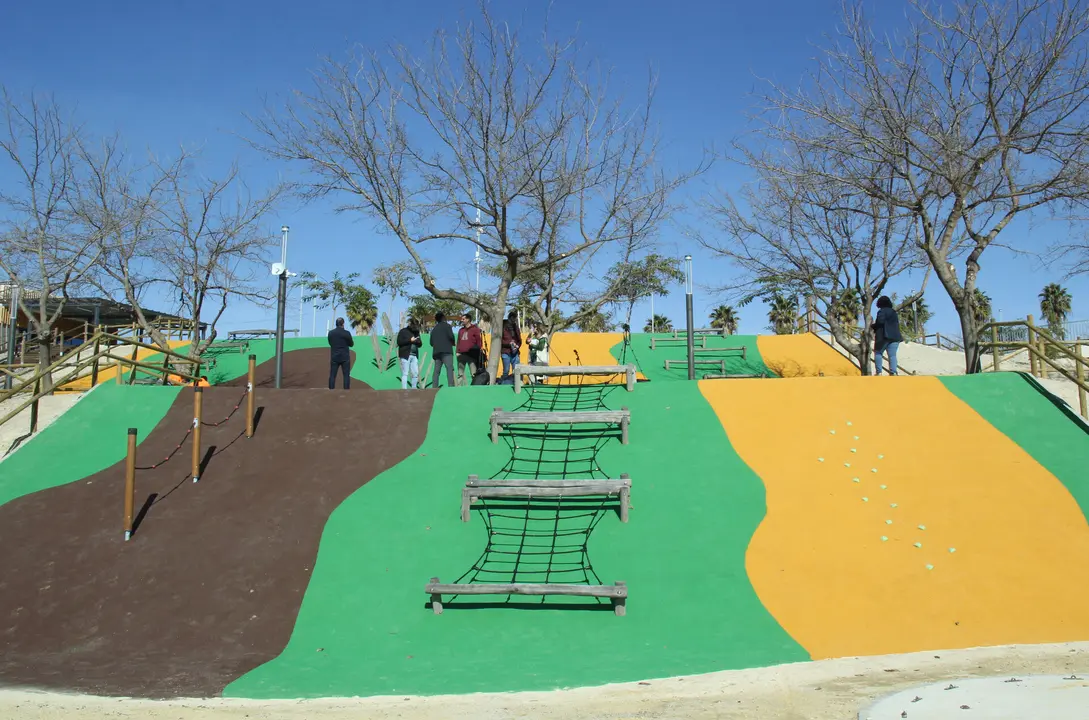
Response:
column 90, row 437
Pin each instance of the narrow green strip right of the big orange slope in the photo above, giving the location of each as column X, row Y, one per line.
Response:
column 1012, row 405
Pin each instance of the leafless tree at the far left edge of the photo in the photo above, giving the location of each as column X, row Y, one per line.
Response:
column 43, row 247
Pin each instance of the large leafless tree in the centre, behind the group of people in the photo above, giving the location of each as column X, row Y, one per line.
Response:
column 565, row 179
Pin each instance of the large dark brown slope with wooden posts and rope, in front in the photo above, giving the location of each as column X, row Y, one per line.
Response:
column 211, row 585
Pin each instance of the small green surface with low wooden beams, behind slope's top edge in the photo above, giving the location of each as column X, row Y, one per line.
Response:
column 653, row 365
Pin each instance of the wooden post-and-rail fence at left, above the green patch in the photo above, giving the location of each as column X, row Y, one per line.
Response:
column 71, row 367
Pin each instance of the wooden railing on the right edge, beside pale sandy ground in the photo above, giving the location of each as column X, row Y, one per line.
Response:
column 1005, row 341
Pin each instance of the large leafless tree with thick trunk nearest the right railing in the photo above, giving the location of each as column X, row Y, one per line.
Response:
column 981, row 111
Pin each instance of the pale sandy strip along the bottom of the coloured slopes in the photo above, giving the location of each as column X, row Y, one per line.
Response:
column 828, row 690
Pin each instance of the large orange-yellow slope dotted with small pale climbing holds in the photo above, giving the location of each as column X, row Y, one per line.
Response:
column 1008, row 545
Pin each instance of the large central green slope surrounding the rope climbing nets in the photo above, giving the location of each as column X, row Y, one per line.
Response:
column 365, row 628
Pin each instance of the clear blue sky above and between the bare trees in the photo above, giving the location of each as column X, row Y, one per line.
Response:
column 174, row 74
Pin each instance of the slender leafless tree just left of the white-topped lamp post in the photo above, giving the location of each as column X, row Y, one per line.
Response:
column 212, row 246
